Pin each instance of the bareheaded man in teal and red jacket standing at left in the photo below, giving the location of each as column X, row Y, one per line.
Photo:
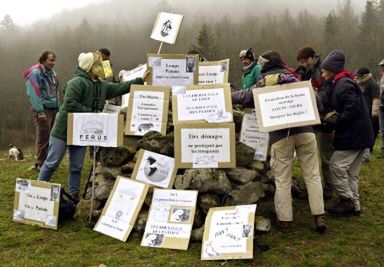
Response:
column 41, row 85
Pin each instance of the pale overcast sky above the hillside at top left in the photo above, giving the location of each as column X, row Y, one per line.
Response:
column 24, row 12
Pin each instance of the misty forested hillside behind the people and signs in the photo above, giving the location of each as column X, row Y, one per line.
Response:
column 359, row 34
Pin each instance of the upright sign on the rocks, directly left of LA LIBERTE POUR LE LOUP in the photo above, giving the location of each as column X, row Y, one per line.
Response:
column 147, row 110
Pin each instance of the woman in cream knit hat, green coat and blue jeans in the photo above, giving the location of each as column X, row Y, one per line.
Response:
column 85, row 92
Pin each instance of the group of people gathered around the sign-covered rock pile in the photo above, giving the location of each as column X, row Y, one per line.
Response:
column 350, row 107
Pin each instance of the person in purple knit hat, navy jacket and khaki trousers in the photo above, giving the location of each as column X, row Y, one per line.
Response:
column 352, row 133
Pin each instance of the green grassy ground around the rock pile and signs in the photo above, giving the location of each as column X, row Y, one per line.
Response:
column 353, row 241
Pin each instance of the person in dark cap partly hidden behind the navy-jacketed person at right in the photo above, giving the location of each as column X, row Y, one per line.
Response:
column 371, row 92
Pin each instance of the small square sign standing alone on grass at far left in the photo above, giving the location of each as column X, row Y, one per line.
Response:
column 37, row 203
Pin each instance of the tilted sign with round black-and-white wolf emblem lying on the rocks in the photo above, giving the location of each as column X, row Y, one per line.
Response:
column 155, row 169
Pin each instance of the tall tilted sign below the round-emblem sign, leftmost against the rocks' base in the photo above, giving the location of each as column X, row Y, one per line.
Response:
column 122, row 208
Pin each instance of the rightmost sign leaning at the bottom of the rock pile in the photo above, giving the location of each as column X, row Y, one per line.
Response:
column 228, row 233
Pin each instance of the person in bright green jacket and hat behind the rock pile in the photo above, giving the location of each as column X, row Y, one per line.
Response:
column 251, row 68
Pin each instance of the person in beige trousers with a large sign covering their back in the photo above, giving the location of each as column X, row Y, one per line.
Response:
column 284, row 143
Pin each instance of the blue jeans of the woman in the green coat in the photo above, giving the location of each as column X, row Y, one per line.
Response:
column 56, row 151
